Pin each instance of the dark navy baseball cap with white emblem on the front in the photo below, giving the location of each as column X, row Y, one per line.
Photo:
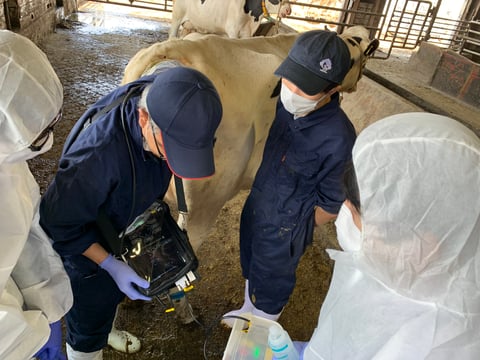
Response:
column 317, row 59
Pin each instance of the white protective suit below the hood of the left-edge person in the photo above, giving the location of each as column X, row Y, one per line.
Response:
column 34, row 288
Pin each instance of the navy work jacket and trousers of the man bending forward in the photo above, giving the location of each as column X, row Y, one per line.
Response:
column 94, row 172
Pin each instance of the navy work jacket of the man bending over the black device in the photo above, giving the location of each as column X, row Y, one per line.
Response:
column 95, row 171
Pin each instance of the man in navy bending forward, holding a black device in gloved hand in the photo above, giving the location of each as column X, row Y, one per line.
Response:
column 166, row 125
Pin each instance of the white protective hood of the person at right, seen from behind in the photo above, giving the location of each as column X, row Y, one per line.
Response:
column 419, row 177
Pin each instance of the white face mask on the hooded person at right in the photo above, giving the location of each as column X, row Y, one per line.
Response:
column 348, row 234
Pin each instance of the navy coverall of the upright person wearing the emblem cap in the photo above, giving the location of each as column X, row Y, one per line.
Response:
column 302, row 167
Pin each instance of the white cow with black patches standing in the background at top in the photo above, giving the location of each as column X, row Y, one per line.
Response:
column 233, row 18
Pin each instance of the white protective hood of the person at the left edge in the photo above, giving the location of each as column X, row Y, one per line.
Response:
column 31, row 95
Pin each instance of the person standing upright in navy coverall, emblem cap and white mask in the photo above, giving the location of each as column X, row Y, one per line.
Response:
column 299, row 182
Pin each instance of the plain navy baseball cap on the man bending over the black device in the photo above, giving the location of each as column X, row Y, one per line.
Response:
column 186, row 107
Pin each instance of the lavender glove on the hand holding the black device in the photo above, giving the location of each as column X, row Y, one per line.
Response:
column 125, row 278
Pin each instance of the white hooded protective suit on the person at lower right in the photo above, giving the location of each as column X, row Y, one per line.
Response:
column 412, row 291
